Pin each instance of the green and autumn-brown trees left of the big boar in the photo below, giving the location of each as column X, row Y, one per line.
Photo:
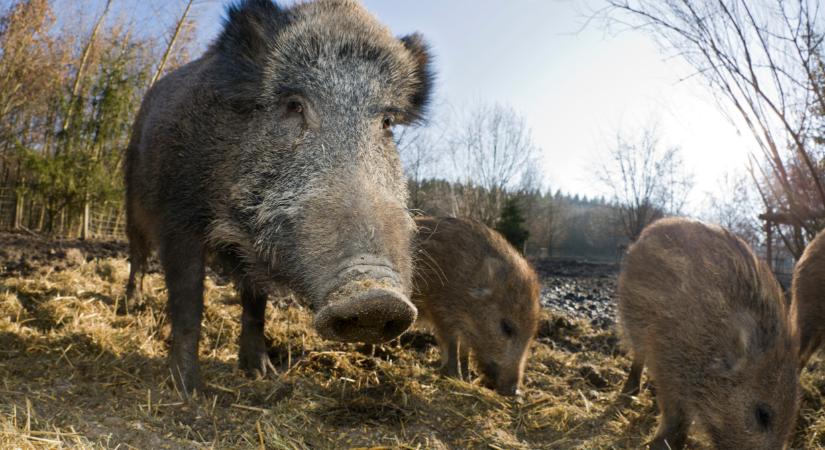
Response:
column 63, row 148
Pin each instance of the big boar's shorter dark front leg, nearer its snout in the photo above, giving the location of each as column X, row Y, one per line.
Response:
column 253, row 357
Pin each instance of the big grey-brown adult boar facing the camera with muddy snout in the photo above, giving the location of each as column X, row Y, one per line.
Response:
column 274, row 152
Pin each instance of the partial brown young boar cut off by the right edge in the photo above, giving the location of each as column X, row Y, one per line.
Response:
column 808, row 298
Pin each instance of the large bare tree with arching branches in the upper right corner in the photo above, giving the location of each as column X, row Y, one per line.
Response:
column 763, row 62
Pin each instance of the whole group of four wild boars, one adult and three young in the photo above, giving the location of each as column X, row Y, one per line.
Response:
column 272, row 158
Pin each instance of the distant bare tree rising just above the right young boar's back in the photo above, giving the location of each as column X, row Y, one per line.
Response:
column 645, row 179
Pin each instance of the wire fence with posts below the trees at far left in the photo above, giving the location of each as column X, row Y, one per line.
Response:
column 106, row 222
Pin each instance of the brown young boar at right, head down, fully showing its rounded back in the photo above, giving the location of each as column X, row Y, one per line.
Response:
column 709, row 321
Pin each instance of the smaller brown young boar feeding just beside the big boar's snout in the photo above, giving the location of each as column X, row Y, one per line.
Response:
column 479, row 295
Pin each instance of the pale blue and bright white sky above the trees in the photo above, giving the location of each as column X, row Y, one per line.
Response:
column 576, row 83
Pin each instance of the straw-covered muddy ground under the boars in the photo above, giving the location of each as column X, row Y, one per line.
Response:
column 76, row 371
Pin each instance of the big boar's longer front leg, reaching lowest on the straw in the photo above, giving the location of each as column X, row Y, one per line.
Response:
column 182, row 257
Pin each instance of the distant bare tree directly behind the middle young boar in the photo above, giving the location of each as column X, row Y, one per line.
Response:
column 491, row 153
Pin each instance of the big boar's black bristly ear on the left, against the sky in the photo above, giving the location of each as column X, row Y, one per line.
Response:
column 249, row 28
